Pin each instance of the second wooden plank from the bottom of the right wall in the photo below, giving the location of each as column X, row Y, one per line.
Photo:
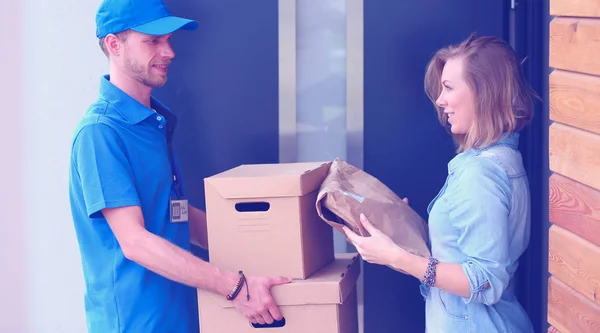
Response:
column 574, row 261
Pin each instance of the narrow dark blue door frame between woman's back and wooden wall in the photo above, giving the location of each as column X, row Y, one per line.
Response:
column 531, row 43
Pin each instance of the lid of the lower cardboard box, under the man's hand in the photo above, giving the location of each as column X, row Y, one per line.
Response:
column 330, row 285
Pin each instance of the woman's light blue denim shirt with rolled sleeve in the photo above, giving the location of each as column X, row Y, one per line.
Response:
column 481, row 220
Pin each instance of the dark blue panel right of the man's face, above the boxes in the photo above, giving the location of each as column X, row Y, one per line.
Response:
column 223, row 85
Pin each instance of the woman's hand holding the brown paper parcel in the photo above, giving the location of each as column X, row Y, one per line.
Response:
column 376, row 249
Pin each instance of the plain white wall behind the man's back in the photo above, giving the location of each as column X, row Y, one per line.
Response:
column 51, row 65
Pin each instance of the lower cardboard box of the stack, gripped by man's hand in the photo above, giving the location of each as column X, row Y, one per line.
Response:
column 323, row 303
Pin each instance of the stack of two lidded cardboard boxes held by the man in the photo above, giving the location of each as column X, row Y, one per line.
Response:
column 262, row 220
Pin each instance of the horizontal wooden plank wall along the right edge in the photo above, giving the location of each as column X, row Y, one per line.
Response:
column 574, row 186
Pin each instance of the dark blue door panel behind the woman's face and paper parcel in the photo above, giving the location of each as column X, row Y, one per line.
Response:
column 404, row 145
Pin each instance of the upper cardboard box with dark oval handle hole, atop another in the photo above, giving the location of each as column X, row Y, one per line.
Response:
column 262, row 219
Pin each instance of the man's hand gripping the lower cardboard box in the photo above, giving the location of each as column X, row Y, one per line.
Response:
column 261, row 307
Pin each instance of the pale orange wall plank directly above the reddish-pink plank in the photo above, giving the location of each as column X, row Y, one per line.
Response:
column 575, row 153
